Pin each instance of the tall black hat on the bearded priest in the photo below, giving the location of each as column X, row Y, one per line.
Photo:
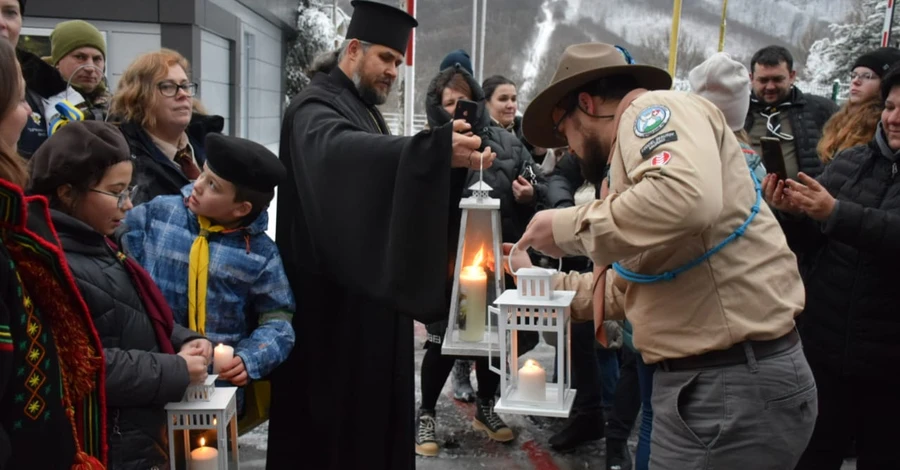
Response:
column 379, row 23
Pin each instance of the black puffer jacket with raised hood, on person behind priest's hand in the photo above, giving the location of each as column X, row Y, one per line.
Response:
column 512, row 158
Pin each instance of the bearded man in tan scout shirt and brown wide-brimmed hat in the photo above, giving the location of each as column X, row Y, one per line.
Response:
column 701, row 268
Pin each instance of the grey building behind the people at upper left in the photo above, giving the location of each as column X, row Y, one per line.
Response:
column 236, row 48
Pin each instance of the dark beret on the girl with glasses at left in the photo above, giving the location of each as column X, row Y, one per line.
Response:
column 75, row 153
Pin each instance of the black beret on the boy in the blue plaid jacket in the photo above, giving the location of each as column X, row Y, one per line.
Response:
column 243, row 162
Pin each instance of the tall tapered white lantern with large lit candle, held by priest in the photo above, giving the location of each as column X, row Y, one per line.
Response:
column 477, row 277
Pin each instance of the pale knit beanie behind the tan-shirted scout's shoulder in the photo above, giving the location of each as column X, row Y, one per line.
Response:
column 726, row 83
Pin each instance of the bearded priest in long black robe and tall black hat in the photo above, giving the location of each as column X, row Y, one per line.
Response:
column 362, row 230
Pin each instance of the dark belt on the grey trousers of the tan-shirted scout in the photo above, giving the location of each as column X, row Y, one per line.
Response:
column 734, row 355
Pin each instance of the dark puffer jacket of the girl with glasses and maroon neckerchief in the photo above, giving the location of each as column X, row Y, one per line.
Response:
column 140, row 380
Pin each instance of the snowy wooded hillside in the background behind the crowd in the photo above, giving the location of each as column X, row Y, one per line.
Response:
column 525, row 37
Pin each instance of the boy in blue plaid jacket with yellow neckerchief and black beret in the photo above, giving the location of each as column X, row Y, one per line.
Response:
column 209, row 254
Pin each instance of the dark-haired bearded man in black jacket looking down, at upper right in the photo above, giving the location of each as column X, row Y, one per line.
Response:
column 779, row 109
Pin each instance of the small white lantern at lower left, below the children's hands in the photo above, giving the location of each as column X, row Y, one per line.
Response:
column 204, row 407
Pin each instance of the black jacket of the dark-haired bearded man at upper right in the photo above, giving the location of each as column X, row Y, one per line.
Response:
column 808, row 115
